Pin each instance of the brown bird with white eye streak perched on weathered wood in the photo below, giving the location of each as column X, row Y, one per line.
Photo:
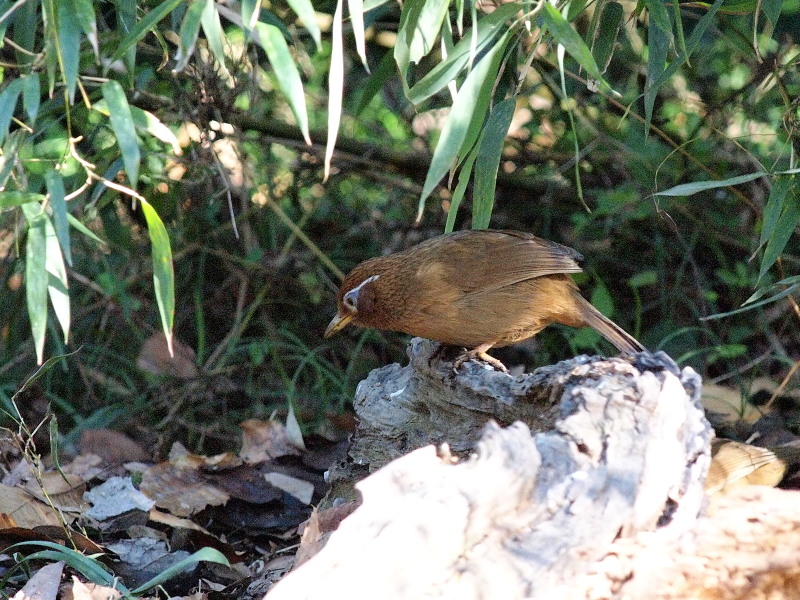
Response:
column 477, row 289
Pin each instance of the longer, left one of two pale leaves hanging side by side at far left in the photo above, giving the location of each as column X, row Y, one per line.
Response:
column 36, row 278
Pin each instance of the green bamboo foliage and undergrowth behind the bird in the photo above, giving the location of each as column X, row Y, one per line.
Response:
column 211, row 169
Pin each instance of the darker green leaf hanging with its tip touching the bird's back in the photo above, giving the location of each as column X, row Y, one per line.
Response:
column 490, row 150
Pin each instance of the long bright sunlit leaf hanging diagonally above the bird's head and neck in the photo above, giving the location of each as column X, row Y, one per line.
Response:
column 468, row 103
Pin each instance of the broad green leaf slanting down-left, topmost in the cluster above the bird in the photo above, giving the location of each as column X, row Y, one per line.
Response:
column 457, row 60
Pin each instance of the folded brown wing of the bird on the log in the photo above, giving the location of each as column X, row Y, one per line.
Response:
column 480, row 261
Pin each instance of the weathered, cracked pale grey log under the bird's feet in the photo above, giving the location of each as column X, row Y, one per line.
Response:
column 594, row 489
